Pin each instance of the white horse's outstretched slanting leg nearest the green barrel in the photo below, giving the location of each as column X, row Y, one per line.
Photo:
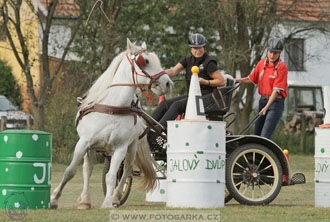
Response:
column 69, row 172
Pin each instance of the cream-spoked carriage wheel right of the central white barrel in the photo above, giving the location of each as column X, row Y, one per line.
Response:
column 253, row 175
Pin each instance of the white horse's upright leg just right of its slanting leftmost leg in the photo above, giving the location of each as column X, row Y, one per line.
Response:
column 84, row 199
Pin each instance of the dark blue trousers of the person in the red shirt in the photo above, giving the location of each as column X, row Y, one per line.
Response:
column 265, row 125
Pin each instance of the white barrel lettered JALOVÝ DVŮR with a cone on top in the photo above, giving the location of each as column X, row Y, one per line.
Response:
column 196, row 156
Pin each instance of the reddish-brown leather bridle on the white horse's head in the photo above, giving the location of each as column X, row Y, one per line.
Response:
column 137, row 59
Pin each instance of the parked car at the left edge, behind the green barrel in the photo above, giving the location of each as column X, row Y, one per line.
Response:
column 15, row 119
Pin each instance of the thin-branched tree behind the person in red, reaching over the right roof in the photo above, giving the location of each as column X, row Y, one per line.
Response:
column 245, row 26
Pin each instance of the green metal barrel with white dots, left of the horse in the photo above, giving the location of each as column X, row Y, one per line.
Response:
column 25, row 169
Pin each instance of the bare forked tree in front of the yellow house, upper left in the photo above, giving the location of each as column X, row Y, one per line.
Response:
column 20, row 42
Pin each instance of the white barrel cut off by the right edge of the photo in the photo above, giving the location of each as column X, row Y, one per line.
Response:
column 322, row 169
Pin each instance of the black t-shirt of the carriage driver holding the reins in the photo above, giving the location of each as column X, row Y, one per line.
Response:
column 204, row 73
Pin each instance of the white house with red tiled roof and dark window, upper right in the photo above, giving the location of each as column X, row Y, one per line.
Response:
column 307, row 51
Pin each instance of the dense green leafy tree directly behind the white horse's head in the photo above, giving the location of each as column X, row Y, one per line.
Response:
column 164, row 25
